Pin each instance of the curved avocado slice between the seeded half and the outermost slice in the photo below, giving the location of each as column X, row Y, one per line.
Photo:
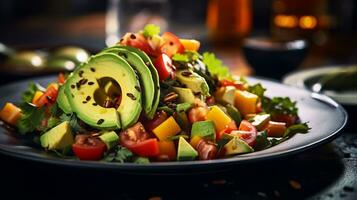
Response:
column 146, row 80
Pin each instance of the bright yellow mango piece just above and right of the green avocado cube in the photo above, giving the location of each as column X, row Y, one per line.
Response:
column 220, row 119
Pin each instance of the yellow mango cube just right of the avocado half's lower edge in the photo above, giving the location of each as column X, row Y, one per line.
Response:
column 167, row 129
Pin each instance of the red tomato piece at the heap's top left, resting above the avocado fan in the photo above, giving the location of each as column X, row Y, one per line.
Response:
column 137, row 40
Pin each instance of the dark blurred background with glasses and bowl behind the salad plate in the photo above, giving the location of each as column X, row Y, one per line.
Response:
column 254, row 37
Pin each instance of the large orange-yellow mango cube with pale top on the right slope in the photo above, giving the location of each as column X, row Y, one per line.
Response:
column 245, row 102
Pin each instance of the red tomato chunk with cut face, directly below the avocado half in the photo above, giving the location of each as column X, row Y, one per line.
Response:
column 137, row 140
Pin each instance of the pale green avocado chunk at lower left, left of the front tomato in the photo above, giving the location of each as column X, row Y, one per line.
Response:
column 57, row 138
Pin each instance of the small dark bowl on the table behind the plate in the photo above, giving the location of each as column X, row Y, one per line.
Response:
column 273, row 59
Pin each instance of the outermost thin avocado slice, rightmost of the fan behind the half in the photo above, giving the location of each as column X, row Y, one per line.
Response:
column 154, row 74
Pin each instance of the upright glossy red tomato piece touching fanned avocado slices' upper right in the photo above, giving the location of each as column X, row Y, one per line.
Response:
column 164, row 67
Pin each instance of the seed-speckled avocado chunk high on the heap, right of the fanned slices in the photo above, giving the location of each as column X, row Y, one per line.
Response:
column 193, row 81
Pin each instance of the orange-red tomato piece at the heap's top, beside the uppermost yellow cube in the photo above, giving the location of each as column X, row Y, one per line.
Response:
column 171, row 44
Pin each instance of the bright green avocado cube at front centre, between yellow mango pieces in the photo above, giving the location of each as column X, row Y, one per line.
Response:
column 204, row 129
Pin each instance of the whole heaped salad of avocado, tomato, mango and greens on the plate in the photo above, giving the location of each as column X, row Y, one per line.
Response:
column 152, row 98
